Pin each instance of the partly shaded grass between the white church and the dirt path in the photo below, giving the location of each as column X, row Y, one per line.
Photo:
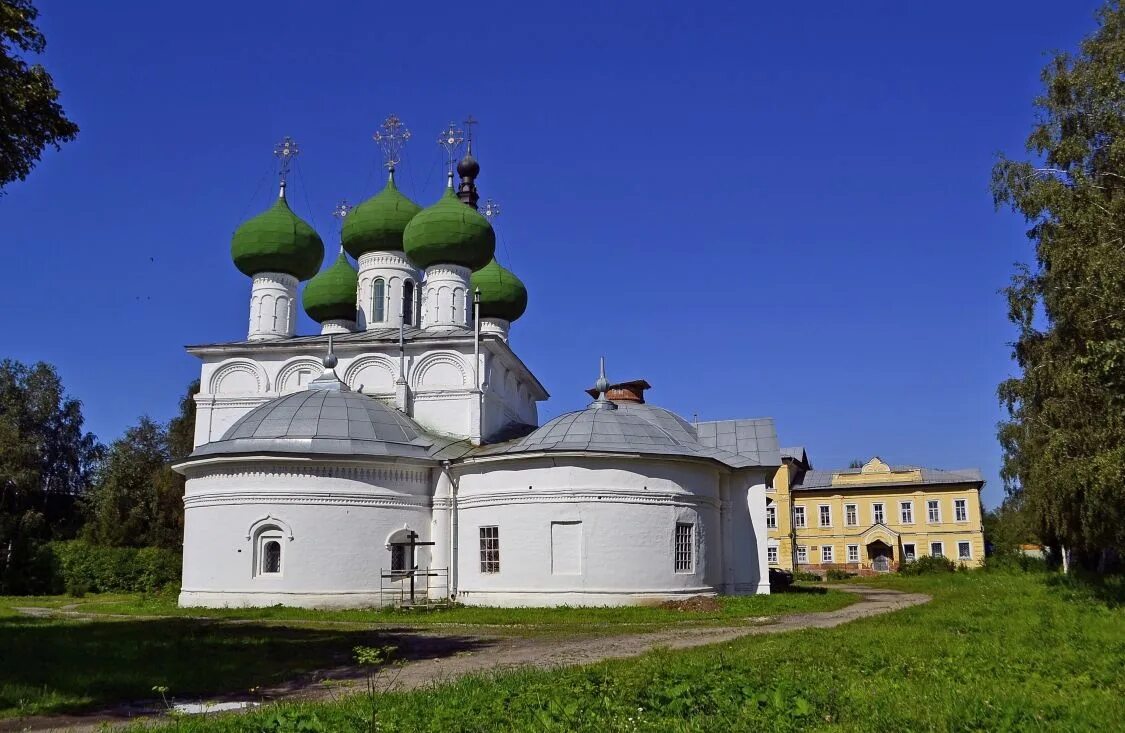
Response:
column 66, row 665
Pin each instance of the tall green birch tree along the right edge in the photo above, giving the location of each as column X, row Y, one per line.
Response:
column 1065, row 444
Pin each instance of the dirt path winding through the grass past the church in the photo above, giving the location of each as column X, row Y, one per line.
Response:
column 499, row 654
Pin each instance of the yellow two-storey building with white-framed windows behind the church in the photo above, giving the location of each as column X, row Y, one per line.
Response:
column 871, row 519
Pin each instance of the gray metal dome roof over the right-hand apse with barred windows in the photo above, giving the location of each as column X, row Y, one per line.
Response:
column 633, row 428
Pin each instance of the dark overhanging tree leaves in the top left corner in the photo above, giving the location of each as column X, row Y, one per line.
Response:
column 31, row 117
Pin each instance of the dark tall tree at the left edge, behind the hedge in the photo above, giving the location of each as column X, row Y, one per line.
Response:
column 47, row 463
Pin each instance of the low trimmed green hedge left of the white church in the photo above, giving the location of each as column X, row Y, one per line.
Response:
column 80, row 566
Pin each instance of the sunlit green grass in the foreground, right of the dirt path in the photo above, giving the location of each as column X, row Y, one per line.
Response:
column 995, row 651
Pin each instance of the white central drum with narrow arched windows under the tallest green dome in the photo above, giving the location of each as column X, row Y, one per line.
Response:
column 395, row 272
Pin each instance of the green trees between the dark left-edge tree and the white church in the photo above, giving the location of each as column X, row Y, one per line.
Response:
column 138, row 500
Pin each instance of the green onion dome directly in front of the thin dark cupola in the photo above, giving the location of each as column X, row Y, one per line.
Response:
column 451, row 233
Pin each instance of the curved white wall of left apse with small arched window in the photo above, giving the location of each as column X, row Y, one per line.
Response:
column 336, row 522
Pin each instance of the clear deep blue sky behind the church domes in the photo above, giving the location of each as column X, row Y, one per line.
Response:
column 764, row 210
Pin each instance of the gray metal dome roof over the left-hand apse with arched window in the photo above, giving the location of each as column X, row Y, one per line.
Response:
column 322, row 421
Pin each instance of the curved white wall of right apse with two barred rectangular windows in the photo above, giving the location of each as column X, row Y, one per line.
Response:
column 620, row 553
